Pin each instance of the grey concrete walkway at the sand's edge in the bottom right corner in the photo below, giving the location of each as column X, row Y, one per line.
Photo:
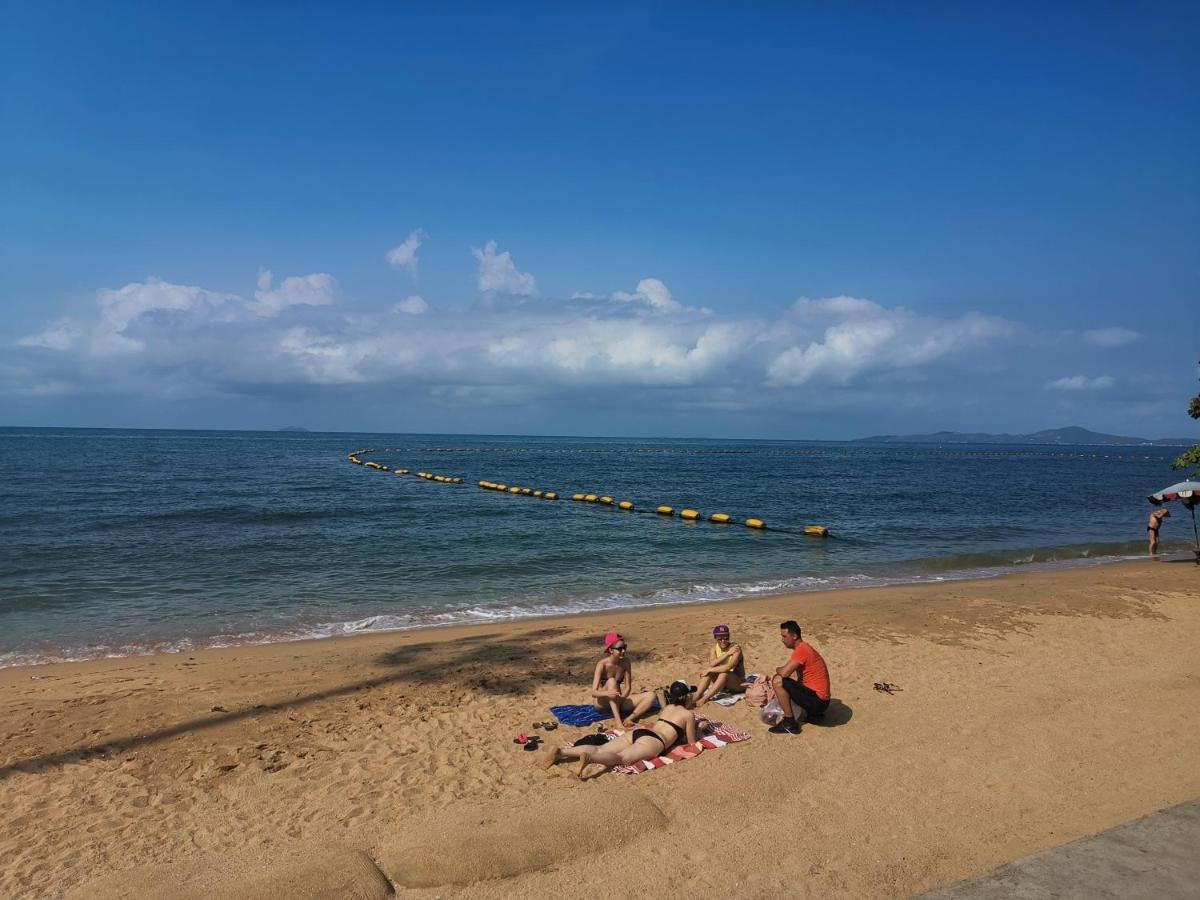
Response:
column 1154, row 857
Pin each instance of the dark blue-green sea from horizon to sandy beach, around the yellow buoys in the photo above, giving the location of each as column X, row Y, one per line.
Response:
column 128, row 542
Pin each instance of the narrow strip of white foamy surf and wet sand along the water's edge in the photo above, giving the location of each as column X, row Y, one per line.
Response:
column 335, row 631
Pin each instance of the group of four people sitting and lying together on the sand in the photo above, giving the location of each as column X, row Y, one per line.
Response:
column 801, row 687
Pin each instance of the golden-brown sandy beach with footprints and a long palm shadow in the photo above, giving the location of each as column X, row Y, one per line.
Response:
column 1035, row 710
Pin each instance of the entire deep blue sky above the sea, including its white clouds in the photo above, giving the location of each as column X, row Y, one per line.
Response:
column 773, row 220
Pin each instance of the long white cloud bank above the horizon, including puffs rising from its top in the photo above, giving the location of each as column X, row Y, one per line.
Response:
column 644, row 351
